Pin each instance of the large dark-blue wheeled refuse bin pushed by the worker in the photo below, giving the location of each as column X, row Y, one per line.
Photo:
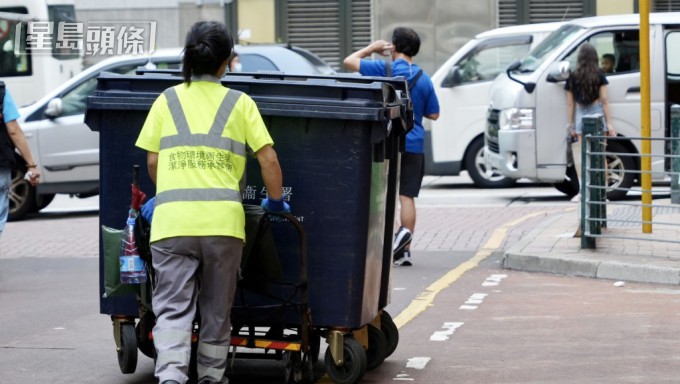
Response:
column 338, row 140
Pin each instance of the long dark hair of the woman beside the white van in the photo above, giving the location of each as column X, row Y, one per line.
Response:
column 585, row 80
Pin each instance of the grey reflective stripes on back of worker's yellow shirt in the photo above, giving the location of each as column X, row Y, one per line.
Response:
column 213, row 140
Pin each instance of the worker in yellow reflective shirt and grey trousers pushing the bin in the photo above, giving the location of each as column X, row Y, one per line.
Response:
column 196, row 135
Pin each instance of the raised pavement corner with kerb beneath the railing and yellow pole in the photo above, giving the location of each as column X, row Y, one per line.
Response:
column 624, row 253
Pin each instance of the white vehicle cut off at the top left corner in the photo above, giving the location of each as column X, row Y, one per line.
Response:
column 31, row 71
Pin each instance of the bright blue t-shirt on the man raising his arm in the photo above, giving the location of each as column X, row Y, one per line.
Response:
column 422, row 95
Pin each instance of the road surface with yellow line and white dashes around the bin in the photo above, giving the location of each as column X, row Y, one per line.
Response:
column 462, row 318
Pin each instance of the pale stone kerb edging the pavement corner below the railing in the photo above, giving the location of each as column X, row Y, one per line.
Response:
column 593, row 264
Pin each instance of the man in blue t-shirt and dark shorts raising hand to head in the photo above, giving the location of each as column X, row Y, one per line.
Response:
column 404, row 46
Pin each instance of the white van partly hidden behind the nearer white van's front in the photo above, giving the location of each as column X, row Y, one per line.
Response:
column 455, row 141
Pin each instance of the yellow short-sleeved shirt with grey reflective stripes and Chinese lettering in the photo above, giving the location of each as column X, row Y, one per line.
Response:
column 200, row 133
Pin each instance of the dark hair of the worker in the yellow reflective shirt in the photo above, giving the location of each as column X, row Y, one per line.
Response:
column 207, row 46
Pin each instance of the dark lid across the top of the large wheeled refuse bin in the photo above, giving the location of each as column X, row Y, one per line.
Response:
column 326, row 97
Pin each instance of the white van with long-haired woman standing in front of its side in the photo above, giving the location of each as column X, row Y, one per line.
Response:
column 527, row 119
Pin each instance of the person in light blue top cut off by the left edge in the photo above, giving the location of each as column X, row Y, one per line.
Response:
column 11, row 136
